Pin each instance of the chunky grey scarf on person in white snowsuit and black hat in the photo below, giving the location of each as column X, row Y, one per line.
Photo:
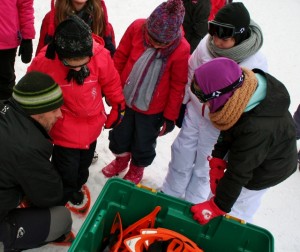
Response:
column 241, row 51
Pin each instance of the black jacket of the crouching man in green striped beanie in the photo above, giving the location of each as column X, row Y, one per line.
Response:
column 25, row 167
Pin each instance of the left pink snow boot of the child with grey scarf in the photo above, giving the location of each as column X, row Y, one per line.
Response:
column 117, row 165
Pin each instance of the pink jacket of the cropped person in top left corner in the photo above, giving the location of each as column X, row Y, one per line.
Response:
column 16, row 22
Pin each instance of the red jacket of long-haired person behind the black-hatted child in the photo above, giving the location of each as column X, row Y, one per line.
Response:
column 48, row 26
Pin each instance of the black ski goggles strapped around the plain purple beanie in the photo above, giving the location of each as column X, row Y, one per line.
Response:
column 206, row 97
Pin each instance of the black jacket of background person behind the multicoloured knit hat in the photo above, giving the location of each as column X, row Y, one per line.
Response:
column 195, row 20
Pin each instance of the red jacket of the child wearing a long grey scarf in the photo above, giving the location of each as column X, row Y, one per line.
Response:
column 169, row 92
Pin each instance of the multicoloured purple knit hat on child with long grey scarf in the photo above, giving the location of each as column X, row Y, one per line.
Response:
column 165, row 21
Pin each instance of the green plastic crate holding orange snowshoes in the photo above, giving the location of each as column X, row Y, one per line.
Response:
column 133, row 203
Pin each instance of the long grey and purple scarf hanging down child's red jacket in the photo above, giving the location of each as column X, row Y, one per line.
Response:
column 146, row 73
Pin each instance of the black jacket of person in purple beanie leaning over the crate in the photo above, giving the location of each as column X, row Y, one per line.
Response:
column 261, row 146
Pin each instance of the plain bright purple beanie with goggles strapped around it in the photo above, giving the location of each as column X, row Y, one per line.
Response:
column 215, row 75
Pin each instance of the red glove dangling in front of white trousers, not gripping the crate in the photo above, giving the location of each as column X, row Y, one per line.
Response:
column 216, row 172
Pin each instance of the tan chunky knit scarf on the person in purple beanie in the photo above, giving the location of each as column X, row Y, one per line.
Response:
column 225, row 118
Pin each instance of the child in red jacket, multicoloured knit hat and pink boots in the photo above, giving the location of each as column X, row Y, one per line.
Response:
column 152, row 60
